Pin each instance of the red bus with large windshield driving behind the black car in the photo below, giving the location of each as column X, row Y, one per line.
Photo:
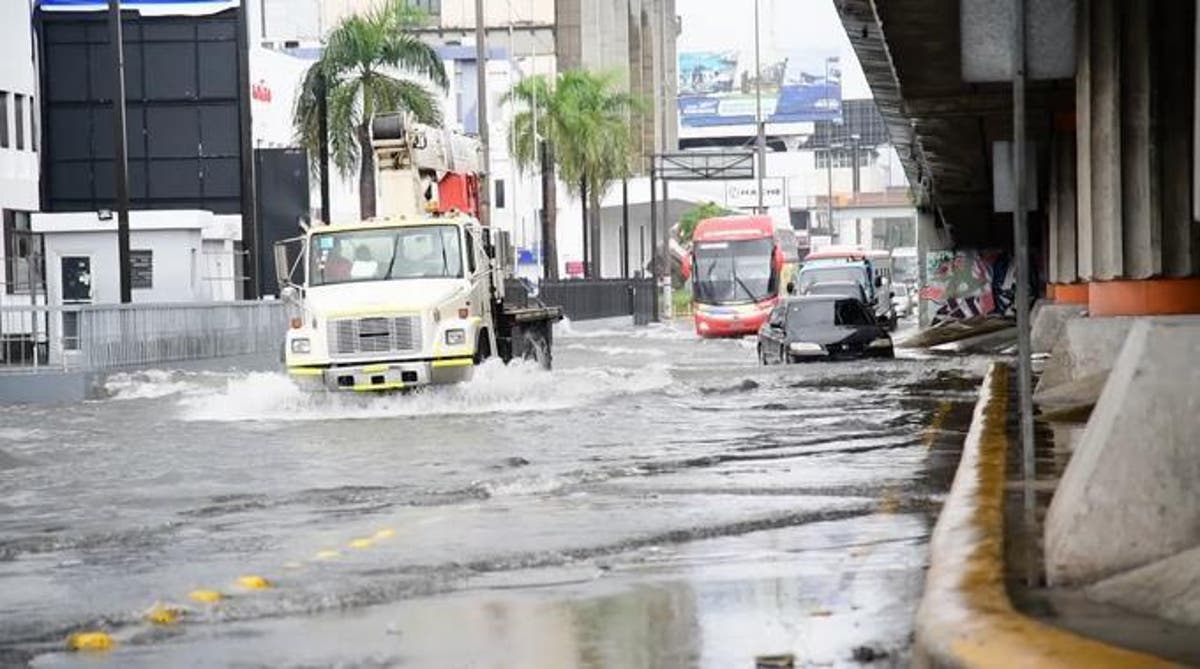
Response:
column 740, row 268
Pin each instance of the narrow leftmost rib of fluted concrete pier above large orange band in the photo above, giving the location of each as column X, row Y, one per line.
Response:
column 1084, row 138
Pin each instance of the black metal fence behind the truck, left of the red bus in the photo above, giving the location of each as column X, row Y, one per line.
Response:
column 593, row 299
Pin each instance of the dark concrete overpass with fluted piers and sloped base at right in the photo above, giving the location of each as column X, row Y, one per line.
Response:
column 1115, row 234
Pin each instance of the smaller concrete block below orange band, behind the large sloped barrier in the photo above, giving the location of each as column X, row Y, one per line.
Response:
column 1087, row 347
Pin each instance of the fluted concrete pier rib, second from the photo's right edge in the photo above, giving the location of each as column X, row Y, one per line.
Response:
column 1142, row 218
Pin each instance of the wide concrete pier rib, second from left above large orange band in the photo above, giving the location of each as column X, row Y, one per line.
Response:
column 1106, row 136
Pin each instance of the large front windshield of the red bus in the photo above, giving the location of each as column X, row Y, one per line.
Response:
column 734, row 272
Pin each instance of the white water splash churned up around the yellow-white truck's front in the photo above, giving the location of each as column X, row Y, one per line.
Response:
column 496, row 388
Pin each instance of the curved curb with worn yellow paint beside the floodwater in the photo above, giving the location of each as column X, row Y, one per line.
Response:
column 967, row 618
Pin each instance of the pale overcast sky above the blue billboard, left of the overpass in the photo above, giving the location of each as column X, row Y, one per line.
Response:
column 787, row 26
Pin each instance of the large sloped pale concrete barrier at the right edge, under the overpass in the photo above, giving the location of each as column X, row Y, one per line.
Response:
column 1129, row 496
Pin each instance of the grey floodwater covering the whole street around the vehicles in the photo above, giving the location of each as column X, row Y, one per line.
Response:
column 657, row 501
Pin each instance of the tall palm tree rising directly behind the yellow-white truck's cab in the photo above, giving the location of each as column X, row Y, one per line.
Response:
column 356, row 75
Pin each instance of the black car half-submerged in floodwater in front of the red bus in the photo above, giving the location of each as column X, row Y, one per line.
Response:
column 820, row 328
